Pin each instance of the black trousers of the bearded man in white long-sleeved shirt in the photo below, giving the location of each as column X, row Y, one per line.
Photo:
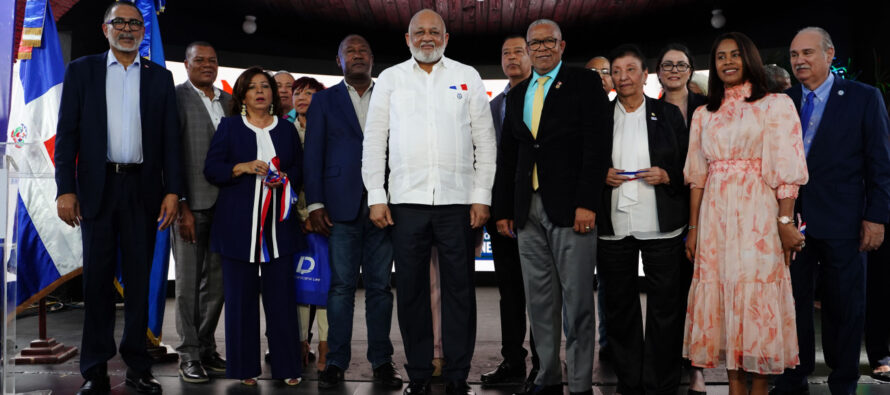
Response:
column 417, row 229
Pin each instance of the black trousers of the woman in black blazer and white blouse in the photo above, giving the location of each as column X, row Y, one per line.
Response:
column 643, row 364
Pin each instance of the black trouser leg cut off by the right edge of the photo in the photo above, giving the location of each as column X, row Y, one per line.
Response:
column 877, row 310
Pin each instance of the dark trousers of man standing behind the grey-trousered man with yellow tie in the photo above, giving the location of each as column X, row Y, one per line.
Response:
column 505, row 254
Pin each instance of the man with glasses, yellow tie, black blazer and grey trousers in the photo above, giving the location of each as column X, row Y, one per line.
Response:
column 552, row 163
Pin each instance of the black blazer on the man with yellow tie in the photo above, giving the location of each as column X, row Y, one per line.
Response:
column 571, row 150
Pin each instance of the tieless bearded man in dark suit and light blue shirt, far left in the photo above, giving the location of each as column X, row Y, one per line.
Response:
column 118, row 177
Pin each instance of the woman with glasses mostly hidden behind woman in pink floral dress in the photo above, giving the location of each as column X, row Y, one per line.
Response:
column 674, row 69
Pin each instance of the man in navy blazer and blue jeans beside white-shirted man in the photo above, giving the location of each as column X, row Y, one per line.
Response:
column 338, row 207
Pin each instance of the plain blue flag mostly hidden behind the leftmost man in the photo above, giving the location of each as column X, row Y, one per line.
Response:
column 152, row 49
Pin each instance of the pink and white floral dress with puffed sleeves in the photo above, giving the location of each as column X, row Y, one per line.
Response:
column 745, row 156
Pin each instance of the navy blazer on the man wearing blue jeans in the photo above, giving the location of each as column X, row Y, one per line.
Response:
column 333, row 162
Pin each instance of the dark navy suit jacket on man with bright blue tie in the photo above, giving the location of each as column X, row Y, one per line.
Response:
column 848, row 162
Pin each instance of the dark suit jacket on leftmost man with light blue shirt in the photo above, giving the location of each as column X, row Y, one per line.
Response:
column 82, row 138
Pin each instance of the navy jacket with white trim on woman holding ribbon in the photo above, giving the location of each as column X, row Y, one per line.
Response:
column 232, row 233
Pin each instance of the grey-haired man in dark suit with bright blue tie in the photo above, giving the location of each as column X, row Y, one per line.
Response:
column 845, row 205
